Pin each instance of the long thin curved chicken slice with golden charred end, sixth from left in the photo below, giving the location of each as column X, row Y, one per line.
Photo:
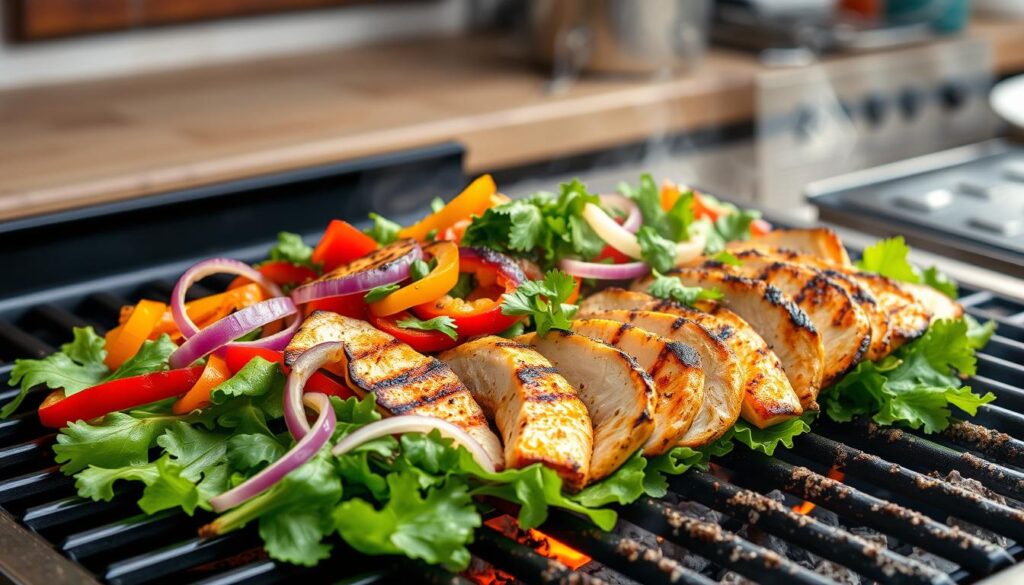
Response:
column 769, row 397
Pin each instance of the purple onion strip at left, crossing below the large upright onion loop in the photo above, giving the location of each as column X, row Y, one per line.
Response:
column 234, row 326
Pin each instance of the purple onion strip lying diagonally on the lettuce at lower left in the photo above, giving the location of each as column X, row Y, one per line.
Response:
column 302, row 453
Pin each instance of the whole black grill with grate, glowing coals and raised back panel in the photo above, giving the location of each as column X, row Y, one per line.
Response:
column 850, row 504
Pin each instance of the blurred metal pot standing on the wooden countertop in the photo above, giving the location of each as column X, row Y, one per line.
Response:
column 620, row 36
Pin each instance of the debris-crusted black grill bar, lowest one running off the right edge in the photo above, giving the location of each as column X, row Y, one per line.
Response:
column 948, row 497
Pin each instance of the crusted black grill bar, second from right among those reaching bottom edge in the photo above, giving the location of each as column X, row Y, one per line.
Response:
column 712, row 542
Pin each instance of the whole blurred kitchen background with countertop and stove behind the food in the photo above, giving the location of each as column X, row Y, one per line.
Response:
column 877, row 116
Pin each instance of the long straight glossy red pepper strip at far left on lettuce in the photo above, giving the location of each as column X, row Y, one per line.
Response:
column 118, row 395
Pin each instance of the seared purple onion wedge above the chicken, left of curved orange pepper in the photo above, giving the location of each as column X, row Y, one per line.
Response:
column 386, row 266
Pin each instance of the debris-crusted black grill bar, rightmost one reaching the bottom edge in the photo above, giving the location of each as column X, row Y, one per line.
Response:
column 835, row 545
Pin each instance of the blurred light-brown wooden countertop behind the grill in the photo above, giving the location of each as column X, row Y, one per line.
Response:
column 81, row 144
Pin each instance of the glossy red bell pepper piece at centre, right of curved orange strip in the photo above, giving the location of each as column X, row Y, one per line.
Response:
column 481, row 312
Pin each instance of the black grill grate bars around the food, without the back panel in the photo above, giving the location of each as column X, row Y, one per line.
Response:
column 901, row 515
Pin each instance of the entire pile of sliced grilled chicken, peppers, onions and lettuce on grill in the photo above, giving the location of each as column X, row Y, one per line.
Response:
column 569, row 350
